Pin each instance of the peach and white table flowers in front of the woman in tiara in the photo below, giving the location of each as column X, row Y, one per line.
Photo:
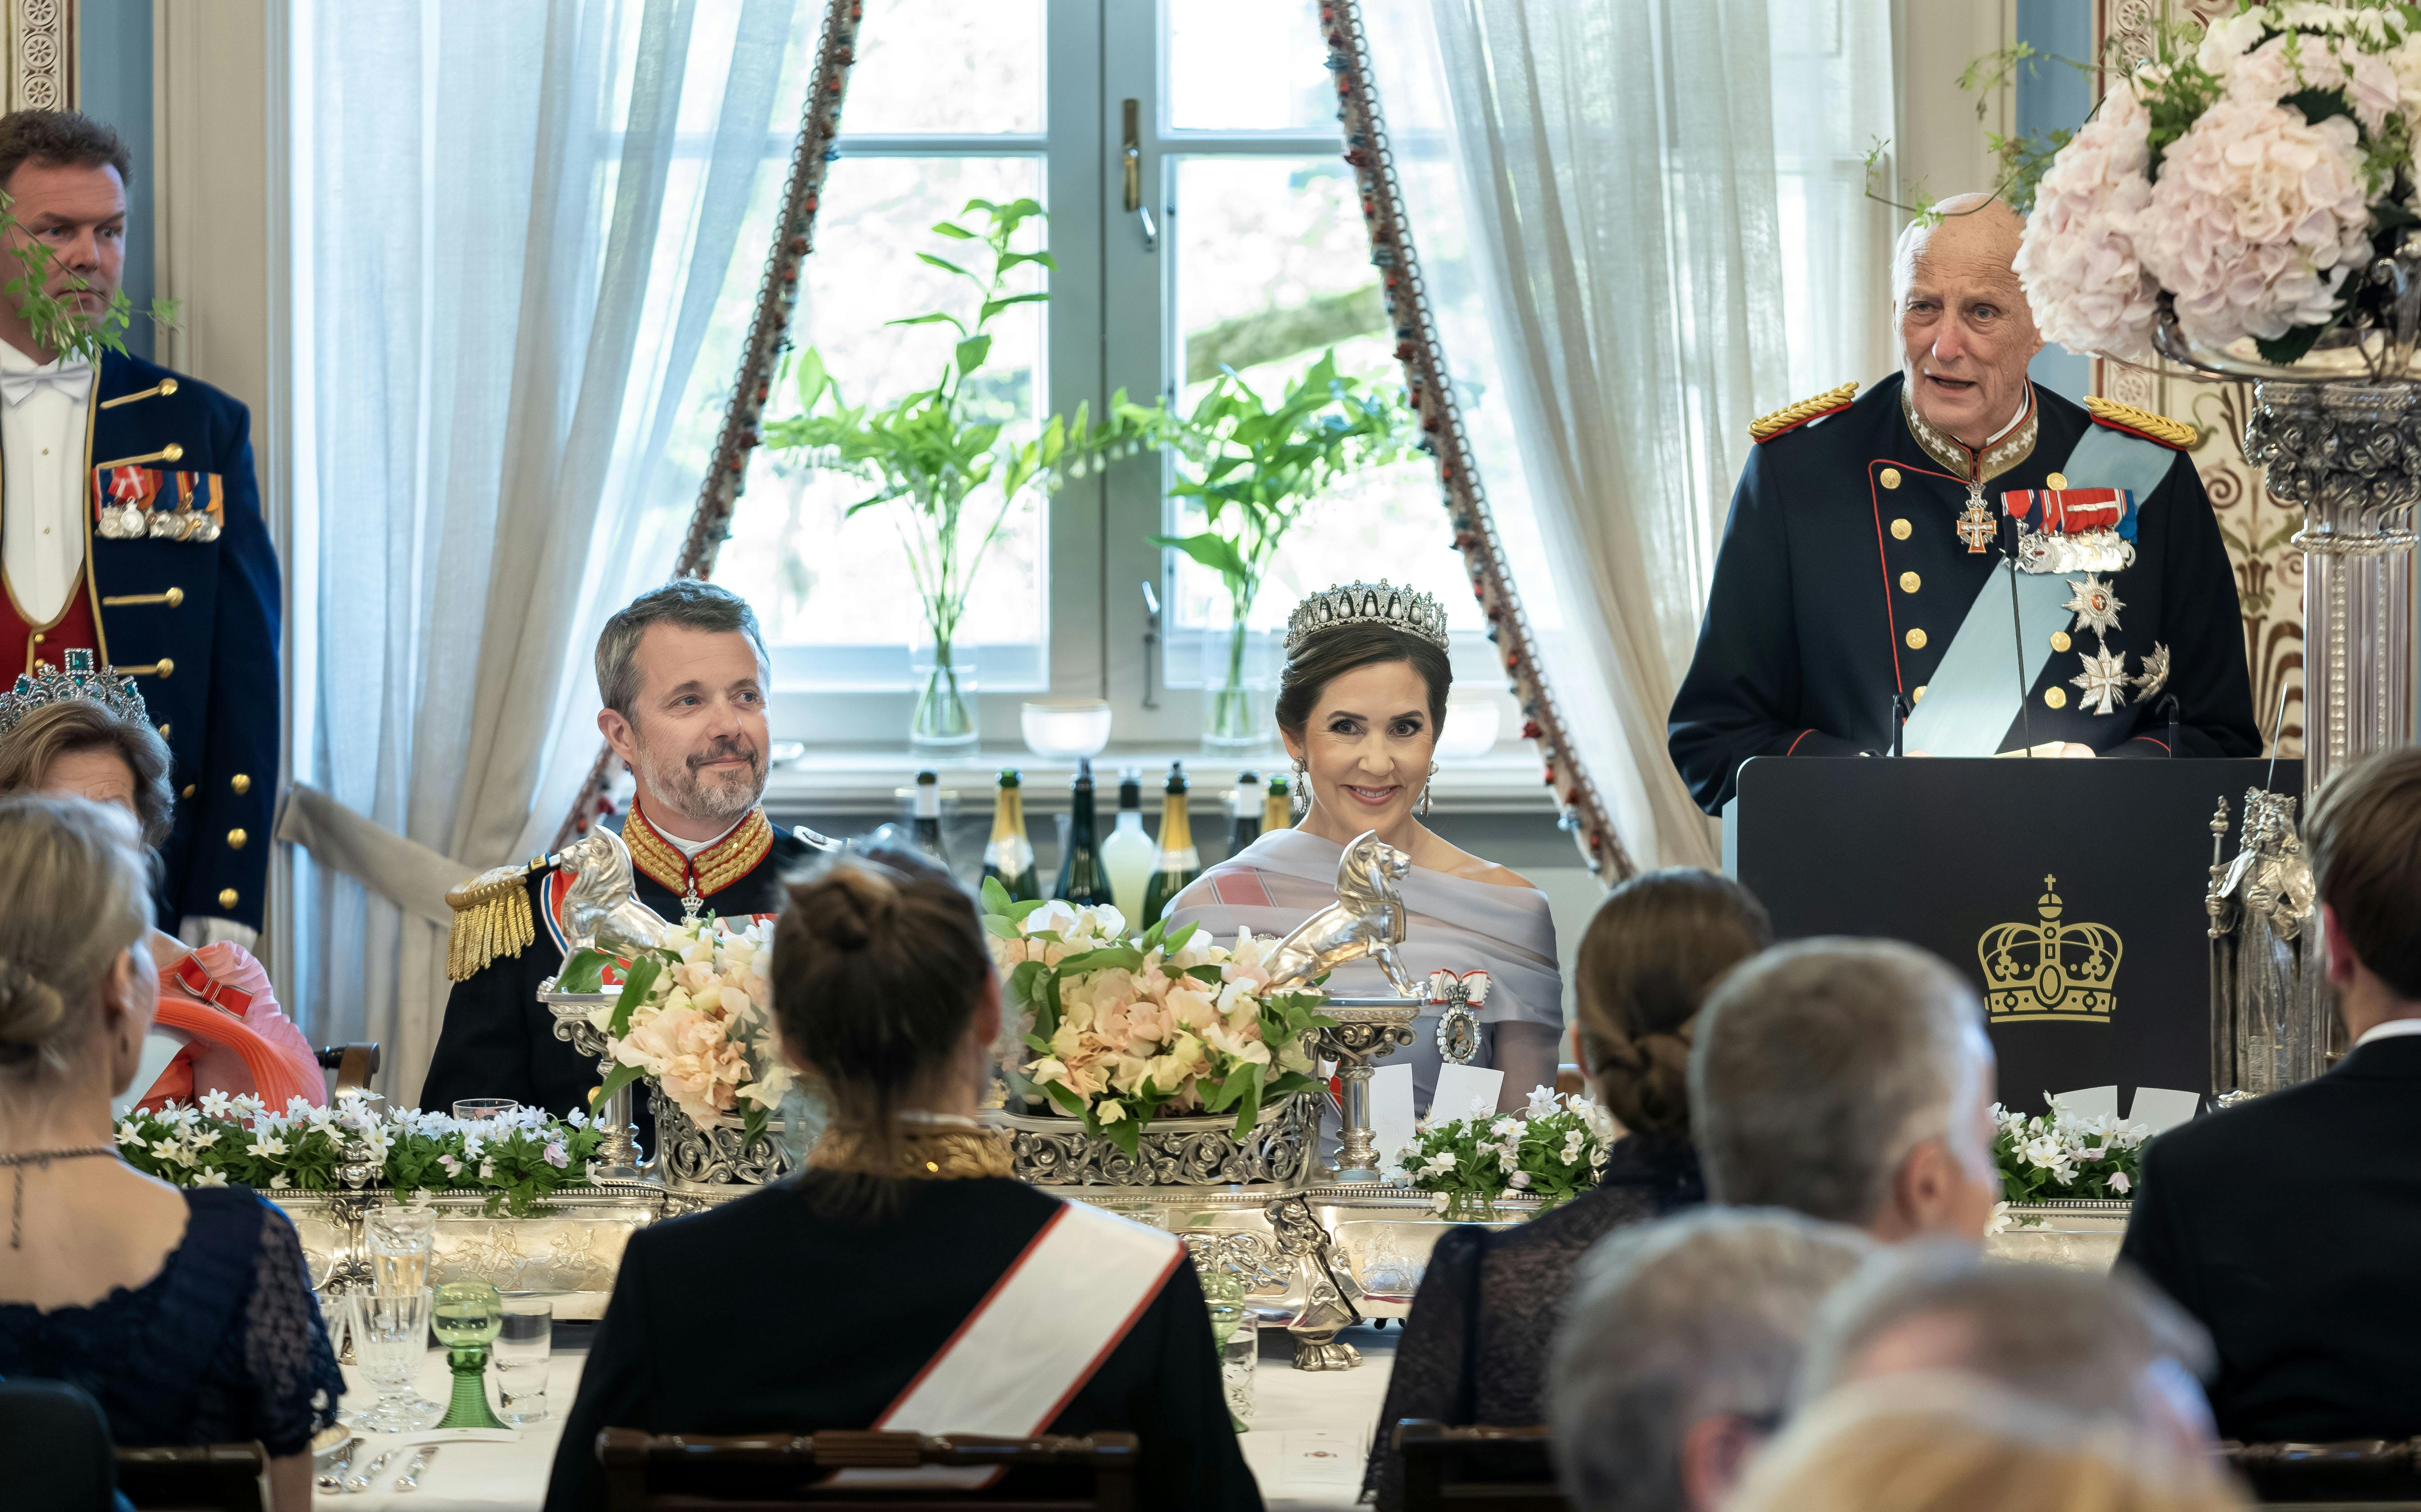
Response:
column 1120, row 1032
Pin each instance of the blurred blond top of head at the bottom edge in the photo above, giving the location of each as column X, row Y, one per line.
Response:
column 1933, row 1443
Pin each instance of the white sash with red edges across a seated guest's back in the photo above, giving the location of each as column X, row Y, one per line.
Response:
column 1035, row 1339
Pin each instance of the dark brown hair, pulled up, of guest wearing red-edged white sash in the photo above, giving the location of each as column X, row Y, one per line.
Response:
column 878, row 971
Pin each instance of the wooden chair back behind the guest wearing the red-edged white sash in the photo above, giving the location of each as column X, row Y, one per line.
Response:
column 788, row 1472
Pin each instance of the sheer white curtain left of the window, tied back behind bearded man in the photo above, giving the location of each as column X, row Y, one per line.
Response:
column 512, row 229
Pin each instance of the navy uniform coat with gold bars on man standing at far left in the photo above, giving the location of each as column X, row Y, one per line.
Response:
column 180, row 591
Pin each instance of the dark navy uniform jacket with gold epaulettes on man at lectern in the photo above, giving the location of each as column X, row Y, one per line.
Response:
column 1844, row 582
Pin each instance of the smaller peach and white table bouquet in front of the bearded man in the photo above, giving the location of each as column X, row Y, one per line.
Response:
column 696, row 1020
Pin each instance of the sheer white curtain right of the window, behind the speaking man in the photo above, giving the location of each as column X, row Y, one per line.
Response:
column 1655, row 233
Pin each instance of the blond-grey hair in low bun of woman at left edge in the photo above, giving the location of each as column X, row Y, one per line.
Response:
column 74, row 899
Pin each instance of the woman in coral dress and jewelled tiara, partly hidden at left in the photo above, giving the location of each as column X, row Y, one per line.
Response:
column 219, row 1025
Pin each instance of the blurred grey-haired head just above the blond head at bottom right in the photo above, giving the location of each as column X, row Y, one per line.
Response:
column 2095, row 1344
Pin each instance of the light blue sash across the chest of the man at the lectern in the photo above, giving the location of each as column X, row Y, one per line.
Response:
column 1989, row 671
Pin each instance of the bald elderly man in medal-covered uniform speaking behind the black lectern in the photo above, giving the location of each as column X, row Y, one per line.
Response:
column 1868, row 565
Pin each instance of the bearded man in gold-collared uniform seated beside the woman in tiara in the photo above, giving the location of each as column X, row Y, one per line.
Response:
column 682, row 674
